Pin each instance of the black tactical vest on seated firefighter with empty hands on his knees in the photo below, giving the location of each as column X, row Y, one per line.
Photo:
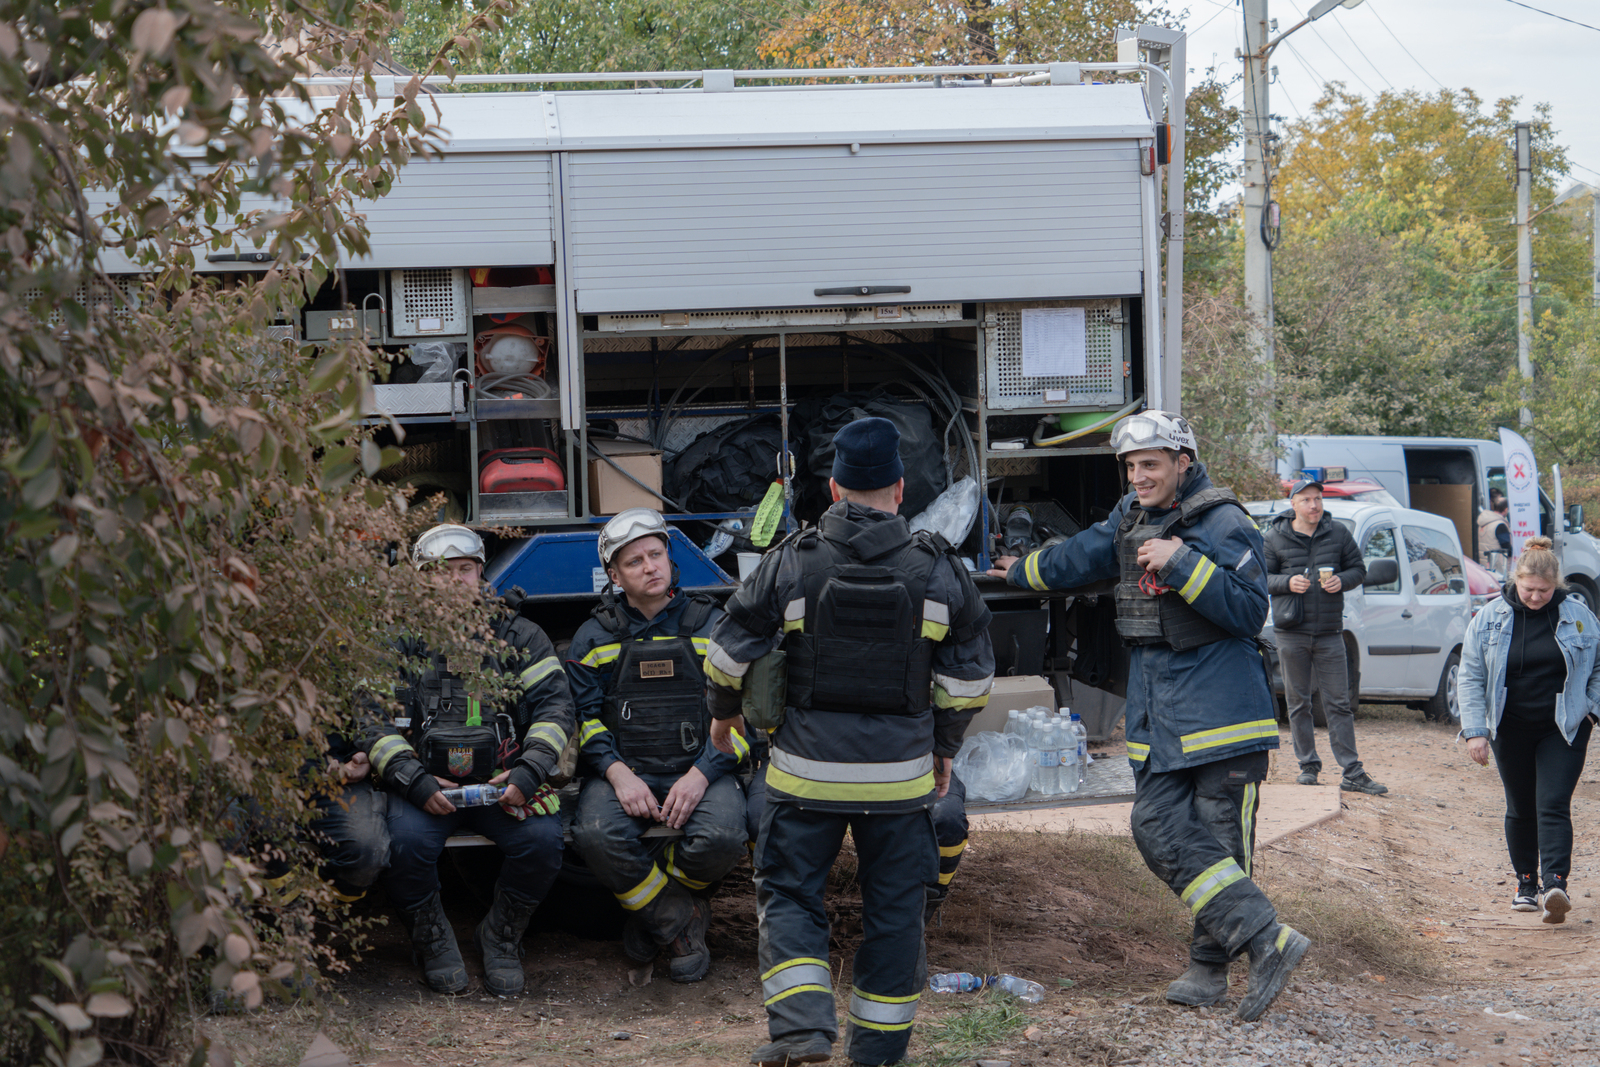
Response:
column 655, row 703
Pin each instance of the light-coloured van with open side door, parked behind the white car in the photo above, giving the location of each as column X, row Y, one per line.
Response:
column 1449, row 478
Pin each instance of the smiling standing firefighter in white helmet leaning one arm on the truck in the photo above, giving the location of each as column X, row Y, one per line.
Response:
column 1191, row 601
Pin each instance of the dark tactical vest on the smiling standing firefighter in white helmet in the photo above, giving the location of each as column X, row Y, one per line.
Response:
column 1166, row 618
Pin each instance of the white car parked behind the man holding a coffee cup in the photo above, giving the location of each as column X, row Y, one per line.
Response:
column 1404, row 628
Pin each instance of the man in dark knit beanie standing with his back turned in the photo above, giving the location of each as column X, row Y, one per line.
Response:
column 889, row 658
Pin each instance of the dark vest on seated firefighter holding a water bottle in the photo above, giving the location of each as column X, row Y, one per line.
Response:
column 449, row 730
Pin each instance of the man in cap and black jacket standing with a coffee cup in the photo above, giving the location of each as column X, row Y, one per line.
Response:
column 1311, row 561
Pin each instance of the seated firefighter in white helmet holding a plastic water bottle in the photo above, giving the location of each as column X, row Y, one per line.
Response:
column 444, row 738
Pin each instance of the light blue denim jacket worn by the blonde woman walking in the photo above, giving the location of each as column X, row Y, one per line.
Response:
column 1484, row 652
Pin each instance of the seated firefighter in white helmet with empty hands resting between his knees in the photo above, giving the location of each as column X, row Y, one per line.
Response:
column 647, row 754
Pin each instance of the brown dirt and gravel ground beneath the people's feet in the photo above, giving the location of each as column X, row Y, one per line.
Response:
column 1407, row 898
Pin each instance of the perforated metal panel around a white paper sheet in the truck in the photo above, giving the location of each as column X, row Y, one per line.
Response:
column 1103, row 382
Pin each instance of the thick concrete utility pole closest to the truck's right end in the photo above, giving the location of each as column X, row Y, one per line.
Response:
column 1258, row 255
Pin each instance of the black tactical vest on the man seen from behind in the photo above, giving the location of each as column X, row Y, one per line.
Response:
column 862, row 647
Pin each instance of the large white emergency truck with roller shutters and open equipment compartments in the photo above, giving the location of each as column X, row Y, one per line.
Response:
column 682, row 252
